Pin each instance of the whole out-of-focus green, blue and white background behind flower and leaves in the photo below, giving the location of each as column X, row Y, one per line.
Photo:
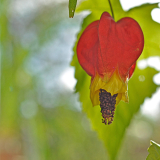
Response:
column 40, row 114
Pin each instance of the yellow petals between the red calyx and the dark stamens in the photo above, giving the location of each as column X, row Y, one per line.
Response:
column 114, row 85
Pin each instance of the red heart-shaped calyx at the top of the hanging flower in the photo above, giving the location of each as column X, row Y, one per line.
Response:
column 106, row 45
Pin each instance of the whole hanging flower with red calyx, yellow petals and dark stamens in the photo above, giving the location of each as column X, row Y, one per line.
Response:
column 107, row 51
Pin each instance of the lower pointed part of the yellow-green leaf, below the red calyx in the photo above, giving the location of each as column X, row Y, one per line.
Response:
column 112, row 135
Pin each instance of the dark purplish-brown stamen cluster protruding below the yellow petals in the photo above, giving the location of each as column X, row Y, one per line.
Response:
column 107, row 104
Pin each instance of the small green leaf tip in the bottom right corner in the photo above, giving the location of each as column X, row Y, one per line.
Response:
column 154, row 151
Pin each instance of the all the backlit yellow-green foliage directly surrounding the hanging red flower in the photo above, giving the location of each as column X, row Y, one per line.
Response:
column 112, row 135
